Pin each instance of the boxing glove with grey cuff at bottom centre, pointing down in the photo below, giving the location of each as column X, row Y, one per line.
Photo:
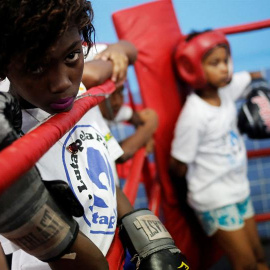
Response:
column 149, row 243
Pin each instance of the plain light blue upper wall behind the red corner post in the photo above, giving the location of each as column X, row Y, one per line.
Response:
column 251, row 51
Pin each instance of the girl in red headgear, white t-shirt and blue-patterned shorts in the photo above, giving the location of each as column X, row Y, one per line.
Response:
column 207, row 148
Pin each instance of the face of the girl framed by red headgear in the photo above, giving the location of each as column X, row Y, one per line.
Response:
column 216, row 67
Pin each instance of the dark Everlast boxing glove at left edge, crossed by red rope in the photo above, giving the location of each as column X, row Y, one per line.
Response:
column 29, row 216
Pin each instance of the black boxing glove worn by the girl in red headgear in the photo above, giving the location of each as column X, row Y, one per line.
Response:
column 254, row 115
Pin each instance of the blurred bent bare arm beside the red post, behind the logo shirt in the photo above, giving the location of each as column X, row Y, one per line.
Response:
column 146, row 122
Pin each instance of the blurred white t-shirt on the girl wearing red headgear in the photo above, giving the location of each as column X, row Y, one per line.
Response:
column 207, row 139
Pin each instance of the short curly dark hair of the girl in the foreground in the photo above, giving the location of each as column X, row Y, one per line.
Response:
column 28, row 28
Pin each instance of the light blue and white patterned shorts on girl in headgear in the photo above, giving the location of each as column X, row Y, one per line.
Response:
column 228, row 218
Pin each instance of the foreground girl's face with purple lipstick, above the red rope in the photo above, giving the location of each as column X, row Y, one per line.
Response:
column 54, row 87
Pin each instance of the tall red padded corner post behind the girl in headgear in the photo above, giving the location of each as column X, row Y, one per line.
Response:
column 154, row 30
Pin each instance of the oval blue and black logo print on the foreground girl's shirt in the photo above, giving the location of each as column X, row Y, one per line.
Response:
column 91, row 177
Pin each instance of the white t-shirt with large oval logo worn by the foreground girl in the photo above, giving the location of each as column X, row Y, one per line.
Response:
column 91, row 174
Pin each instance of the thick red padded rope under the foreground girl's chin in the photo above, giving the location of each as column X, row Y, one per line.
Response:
column 22, row 155
